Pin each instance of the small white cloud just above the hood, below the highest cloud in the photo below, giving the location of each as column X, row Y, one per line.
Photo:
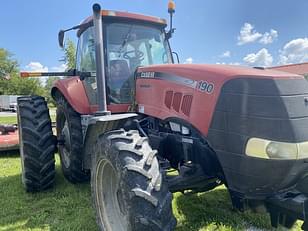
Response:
column 261, row 58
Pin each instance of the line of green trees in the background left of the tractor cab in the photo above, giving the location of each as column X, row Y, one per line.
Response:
column 12, row 84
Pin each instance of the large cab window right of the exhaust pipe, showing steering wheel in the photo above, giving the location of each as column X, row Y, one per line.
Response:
column 128, row 47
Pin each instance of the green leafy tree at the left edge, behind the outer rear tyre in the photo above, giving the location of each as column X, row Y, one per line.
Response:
column 14, row 84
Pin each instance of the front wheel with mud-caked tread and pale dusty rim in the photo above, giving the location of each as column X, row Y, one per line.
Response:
column 128, row 188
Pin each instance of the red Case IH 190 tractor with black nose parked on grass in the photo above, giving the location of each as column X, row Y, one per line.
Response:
column 127, row 114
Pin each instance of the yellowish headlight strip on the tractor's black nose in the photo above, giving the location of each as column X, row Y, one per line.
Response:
column 268, row 149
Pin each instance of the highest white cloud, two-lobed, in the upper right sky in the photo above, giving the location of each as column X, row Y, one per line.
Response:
column 249, row 35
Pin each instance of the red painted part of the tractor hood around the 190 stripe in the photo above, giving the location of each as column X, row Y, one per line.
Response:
column 203, row 104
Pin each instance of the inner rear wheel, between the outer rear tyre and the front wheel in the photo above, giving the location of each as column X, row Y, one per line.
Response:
column 69, row 133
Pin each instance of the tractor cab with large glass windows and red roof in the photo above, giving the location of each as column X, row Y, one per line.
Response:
column 130, row 41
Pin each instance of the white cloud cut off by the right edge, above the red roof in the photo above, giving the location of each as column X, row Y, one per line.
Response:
column 295, row 51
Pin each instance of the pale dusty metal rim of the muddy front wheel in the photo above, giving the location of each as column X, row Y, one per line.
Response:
column 109, row 198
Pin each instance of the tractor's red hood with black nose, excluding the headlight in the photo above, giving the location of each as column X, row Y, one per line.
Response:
column 231, row 105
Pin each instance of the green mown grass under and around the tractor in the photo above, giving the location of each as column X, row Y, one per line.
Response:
column 69, row 207
